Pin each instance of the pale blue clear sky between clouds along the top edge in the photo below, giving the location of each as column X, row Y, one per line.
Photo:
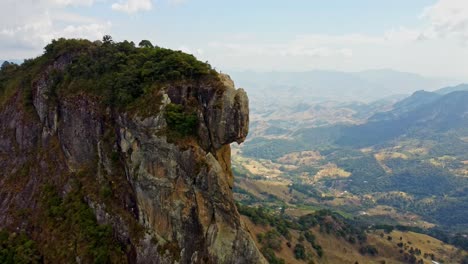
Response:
column 274, row 19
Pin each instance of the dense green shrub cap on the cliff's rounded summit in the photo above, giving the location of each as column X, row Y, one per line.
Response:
column 120, row 72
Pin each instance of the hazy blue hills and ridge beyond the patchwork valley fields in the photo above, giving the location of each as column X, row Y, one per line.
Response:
column 423, row 115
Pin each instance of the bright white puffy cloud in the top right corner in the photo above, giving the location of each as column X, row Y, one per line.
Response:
column 447, row 18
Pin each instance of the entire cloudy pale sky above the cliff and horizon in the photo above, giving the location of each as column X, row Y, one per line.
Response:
column 428, row 37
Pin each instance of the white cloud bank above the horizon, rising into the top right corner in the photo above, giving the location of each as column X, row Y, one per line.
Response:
column 431, row 48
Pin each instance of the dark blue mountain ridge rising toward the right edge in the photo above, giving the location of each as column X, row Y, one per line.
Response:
column 423, row 113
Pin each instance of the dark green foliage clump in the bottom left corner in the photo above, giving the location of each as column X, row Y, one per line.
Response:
column 17, row 248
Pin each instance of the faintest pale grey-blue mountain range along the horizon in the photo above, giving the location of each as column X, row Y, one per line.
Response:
column 292, row 87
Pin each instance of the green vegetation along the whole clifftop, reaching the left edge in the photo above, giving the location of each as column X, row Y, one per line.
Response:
column 119, row 73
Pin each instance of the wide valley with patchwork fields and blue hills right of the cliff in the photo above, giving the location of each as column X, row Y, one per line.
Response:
column 401, row 165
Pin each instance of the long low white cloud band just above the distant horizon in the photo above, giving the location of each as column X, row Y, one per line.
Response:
column 399, row 49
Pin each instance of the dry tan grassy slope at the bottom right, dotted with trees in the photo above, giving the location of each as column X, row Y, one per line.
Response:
column 338, row 250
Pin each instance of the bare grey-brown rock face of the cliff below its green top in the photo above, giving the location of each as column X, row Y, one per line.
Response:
column 166, row 198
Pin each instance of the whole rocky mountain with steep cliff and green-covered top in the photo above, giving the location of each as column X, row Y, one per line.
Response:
column 126, row 151
